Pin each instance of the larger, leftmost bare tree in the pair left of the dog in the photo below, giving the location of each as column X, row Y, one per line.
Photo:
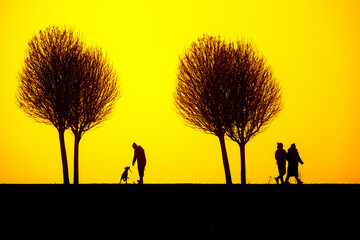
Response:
column 46, row 79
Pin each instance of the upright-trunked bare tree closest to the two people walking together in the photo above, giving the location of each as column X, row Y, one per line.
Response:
column 256, row 97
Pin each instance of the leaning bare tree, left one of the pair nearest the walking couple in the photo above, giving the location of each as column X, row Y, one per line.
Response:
column 202, row 95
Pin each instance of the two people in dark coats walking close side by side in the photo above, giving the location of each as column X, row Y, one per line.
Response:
column 293, row 158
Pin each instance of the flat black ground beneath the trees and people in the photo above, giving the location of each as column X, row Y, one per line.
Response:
column 179, row 210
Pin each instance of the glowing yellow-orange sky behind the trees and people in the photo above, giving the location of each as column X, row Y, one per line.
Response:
column 312, row 46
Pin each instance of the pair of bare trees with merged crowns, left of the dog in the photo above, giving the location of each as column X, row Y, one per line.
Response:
column 64, row 84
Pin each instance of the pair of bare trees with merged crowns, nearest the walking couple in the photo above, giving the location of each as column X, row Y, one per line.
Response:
column 226, row 88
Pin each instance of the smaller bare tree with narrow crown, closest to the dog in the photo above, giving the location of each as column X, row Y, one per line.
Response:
column 93, row 98
